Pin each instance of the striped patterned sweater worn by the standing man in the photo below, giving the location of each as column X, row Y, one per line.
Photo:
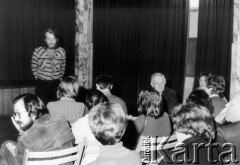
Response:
column 41, row 65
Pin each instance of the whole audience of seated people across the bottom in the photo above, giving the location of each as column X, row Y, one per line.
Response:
column 205, row 119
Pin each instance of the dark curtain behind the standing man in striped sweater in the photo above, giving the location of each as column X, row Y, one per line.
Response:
column 22, row 26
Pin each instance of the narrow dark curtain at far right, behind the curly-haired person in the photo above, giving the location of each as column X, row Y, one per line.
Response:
column 215, row 33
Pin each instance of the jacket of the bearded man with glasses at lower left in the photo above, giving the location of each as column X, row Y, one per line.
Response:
column 46, row 134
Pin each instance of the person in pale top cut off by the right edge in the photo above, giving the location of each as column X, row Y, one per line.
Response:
column 229, row 118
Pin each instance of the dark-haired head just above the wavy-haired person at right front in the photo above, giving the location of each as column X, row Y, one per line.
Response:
column 200, row 97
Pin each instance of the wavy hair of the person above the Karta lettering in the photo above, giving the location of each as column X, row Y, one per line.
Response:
column 194, row 120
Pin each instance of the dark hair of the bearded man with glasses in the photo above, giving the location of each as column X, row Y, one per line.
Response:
column 33, row 104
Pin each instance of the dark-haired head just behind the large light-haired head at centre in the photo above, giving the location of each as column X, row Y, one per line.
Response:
column 95, row 97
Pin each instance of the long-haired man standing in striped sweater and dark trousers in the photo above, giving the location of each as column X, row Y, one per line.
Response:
column 48, row 66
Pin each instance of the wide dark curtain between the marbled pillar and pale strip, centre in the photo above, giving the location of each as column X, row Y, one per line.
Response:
column 134, row 38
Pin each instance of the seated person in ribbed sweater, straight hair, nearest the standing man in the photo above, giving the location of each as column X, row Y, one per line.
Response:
column 66, row 106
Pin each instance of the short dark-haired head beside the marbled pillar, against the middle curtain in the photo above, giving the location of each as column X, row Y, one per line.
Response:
column 104, row 81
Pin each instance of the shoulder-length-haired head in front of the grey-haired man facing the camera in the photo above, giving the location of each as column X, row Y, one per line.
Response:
column 148, row 103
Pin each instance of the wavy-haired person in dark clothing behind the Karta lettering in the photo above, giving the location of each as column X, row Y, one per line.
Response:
column 194, row 126
